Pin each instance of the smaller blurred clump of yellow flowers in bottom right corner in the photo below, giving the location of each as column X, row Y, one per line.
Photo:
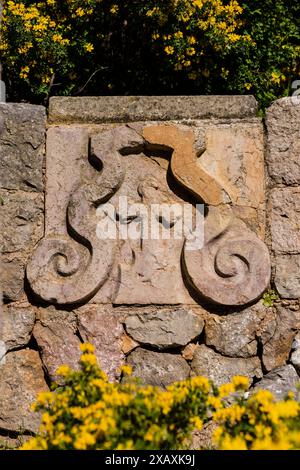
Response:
column 259, row 423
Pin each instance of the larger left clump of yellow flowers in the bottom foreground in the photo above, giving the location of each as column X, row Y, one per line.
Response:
column 91, row 413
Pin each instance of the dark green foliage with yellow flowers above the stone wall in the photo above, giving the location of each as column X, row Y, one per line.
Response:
column 99, row 47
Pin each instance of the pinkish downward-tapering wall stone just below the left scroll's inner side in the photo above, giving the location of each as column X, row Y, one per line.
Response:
column 100, row 326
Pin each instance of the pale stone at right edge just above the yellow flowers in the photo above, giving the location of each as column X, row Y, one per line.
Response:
column 280, row 381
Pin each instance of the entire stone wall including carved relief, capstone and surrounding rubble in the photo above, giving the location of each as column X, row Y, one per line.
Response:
column 168, row 311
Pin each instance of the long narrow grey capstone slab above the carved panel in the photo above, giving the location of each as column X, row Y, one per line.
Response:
column 149, row 108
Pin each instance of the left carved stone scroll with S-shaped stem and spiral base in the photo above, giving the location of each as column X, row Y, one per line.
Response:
column 71, row 269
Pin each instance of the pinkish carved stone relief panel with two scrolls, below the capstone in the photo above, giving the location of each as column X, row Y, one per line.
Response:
column 88, row 168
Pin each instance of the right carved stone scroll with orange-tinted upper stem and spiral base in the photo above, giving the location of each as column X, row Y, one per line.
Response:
column 233, row 267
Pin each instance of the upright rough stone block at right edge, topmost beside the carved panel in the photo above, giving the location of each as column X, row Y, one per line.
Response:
column 283, row 155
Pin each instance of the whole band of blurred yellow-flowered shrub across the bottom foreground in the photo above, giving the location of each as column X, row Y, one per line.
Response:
column 89, row 413
